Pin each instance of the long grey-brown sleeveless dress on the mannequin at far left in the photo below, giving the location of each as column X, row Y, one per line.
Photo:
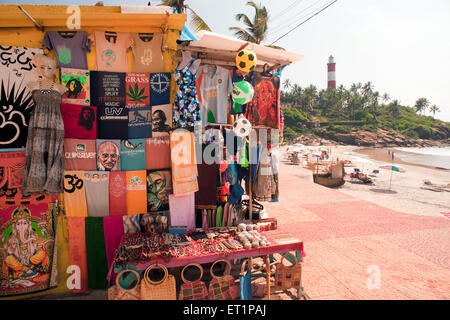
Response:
column 45, row 143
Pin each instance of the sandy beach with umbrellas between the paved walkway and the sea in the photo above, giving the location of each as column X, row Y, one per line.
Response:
column 405, row 193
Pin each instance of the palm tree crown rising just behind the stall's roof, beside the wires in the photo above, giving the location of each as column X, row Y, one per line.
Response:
column 255, row 30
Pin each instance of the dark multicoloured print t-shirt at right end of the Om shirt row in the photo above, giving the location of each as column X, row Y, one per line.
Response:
column 159, row 186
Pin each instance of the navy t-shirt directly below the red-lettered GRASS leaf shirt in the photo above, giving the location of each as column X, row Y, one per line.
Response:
column 140, row 122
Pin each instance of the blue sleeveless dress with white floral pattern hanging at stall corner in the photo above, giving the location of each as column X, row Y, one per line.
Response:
column 187, row 106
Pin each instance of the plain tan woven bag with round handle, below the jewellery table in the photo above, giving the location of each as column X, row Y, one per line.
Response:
column 164, row 289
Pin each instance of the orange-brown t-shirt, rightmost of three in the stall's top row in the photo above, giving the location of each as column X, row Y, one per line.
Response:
column 147, row 52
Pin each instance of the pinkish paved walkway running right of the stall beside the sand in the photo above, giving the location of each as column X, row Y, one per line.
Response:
column 360, row 250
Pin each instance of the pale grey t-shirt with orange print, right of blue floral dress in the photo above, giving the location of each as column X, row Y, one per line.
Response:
column 214, row 88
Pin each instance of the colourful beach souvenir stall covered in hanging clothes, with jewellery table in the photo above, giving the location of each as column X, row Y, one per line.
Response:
column 96, row 177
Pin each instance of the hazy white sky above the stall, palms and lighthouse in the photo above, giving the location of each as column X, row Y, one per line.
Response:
column 401, row 46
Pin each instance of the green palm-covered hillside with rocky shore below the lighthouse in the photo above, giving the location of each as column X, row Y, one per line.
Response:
column 347, row 115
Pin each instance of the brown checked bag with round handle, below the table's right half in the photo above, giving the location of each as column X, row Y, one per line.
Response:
column 224, row 287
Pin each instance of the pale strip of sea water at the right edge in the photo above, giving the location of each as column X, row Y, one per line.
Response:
column 431, row 156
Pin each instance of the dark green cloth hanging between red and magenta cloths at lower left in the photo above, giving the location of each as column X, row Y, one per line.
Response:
column 96, row 253
